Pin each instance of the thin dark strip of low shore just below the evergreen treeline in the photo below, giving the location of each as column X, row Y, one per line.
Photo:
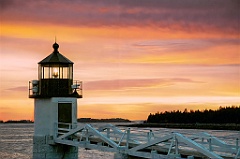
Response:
column 208, row 126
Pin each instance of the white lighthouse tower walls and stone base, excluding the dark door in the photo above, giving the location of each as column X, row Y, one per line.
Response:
column 45, row 128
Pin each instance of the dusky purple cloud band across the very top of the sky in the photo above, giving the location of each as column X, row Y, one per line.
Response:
column 187, row 15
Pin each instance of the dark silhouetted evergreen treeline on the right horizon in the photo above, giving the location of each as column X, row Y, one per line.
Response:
column 220, row 116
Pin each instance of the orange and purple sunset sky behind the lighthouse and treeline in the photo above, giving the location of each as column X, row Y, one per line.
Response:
column 135, row 57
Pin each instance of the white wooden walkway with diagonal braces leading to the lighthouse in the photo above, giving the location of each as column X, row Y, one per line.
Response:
column 125, row 143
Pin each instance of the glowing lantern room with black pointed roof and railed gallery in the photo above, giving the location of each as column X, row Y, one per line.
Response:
column 55, row 78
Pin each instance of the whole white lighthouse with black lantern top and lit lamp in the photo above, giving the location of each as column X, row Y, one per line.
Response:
column 55, row 95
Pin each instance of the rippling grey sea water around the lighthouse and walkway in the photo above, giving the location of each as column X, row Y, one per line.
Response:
column 16, row 140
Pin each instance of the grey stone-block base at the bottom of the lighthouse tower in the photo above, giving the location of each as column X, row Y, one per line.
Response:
column 43, row 149
